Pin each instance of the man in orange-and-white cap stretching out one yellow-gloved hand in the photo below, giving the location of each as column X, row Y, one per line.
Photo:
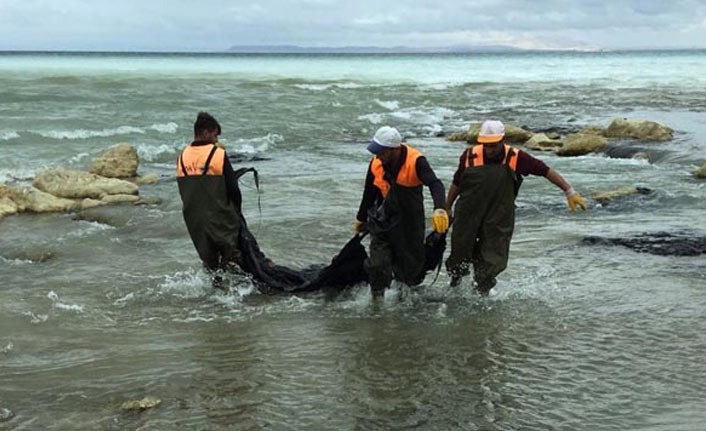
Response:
column 487, row 180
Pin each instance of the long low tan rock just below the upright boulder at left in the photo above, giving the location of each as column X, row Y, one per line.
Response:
column 79, row 185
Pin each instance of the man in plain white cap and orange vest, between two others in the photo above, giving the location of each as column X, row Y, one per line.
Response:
column 393, row 210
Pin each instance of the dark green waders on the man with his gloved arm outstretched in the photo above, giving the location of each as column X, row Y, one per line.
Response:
column 484, row 218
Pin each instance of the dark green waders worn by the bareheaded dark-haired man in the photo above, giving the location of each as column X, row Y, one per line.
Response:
column 213, row 222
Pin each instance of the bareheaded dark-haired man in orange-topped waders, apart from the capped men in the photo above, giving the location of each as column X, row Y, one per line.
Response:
column 210, row 196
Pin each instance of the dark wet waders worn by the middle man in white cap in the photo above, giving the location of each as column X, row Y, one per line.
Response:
column 398, row 247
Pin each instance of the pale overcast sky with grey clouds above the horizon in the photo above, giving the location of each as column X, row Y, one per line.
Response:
column 212, row 25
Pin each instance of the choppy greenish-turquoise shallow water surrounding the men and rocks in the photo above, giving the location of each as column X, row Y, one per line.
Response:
column 111, row 304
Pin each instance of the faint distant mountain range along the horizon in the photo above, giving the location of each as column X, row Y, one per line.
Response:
column 294, row 49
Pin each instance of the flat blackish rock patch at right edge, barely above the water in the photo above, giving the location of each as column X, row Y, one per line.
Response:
column 660, row 243
